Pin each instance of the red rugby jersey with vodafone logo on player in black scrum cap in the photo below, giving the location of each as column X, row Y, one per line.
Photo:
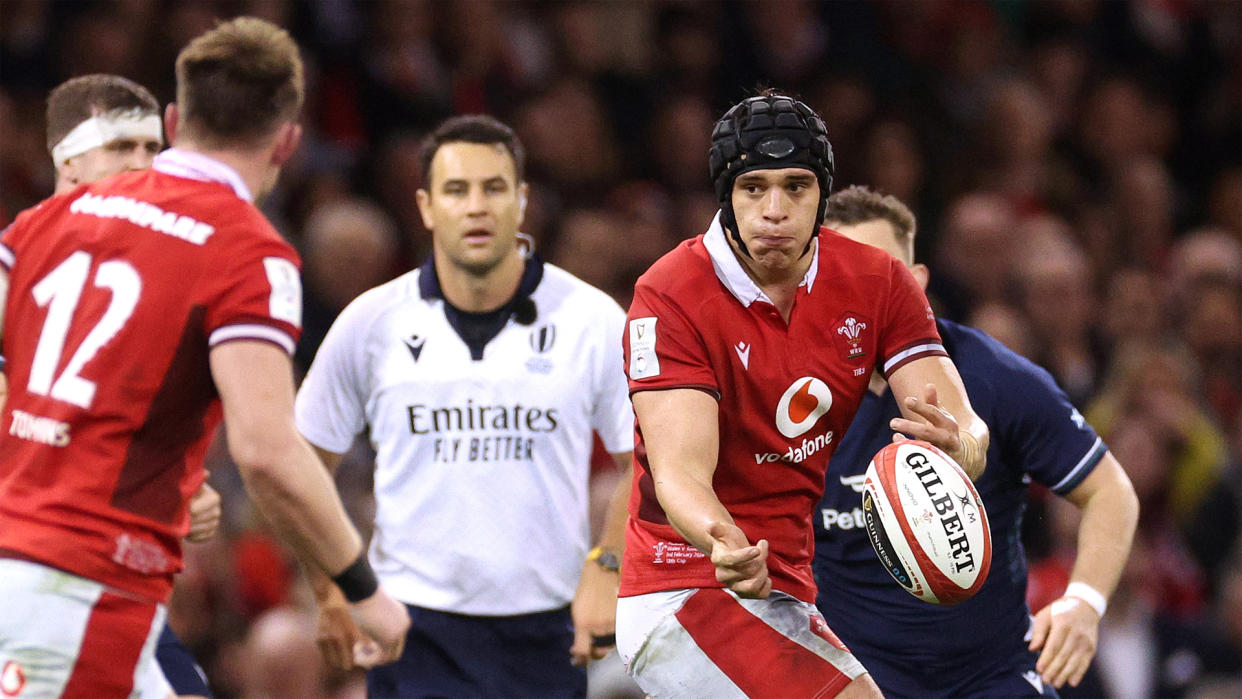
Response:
column 787, row 392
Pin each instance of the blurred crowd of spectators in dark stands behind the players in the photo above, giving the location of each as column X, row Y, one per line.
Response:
column 1076, row 167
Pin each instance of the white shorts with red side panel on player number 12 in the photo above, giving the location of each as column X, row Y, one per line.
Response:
column 64, row 635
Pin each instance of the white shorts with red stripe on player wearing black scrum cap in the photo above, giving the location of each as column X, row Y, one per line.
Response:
column 710, row 643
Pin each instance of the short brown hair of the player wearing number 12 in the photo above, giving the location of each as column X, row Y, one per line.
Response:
column 239, row 83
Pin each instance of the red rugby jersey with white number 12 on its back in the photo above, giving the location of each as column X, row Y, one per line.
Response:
column 117, row 292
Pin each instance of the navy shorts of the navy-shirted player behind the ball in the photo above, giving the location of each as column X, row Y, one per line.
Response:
column 1009, row 674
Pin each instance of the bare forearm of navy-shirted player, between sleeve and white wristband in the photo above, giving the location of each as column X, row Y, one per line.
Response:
column 1110, row 517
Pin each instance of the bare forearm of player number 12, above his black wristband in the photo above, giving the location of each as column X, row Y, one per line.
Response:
column 294, row 491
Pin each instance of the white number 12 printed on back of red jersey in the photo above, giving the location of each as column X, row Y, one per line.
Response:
column 61, row 292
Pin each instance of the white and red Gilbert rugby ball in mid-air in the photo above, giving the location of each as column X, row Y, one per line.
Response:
column 927, row 523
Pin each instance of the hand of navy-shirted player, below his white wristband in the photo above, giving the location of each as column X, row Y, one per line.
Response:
column 1067, row 631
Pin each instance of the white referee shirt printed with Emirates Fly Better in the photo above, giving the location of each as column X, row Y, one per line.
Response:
column 483, row 466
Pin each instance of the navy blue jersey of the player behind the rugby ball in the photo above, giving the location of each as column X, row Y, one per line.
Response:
column 1036, row 435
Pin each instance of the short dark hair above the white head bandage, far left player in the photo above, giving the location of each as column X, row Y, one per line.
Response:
column 80, row 99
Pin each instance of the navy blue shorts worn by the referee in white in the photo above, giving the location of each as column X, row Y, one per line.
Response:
column 466, row 656
